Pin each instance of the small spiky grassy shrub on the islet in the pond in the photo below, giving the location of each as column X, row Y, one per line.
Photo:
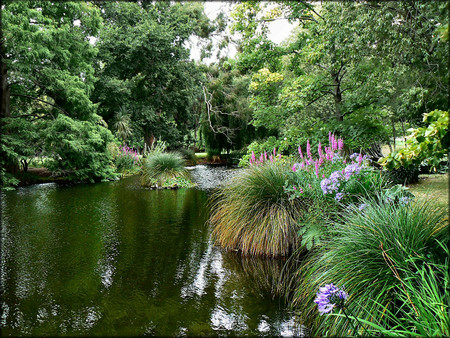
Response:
column 165, row 170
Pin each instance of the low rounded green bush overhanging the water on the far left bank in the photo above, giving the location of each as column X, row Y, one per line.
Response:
column 78, row 149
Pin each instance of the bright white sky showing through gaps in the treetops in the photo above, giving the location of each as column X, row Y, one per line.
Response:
column 279, row 30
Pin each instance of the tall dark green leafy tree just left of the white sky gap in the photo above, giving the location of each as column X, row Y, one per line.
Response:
column 147, row 67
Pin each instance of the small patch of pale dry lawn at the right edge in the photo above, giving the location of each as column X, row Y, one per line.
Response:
column 433, row 187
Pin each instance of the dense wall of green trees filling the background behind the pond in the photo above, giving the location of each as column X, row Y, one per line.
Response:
column 364, row 70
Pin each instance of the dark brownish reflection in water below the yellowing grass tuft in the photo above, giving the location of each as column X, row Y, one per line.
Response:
column 266, row 274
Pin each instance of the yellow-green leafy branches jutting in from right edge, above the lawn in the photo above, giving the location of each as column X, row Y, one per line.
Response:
column 427, row 145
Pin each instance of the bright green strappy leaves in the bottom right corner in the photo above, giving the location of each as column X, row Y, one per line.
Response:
column 424, row 298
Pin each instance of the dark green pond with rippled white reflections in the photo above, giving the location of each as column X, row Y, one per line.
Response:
column 115, row 259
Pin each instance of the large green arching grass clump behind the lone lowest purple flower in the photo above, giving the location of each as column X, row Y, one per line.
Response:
column 358, row 255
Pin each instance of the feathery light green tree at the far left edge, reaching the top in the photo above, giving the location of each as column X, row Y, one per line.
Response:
column 46, row 63
